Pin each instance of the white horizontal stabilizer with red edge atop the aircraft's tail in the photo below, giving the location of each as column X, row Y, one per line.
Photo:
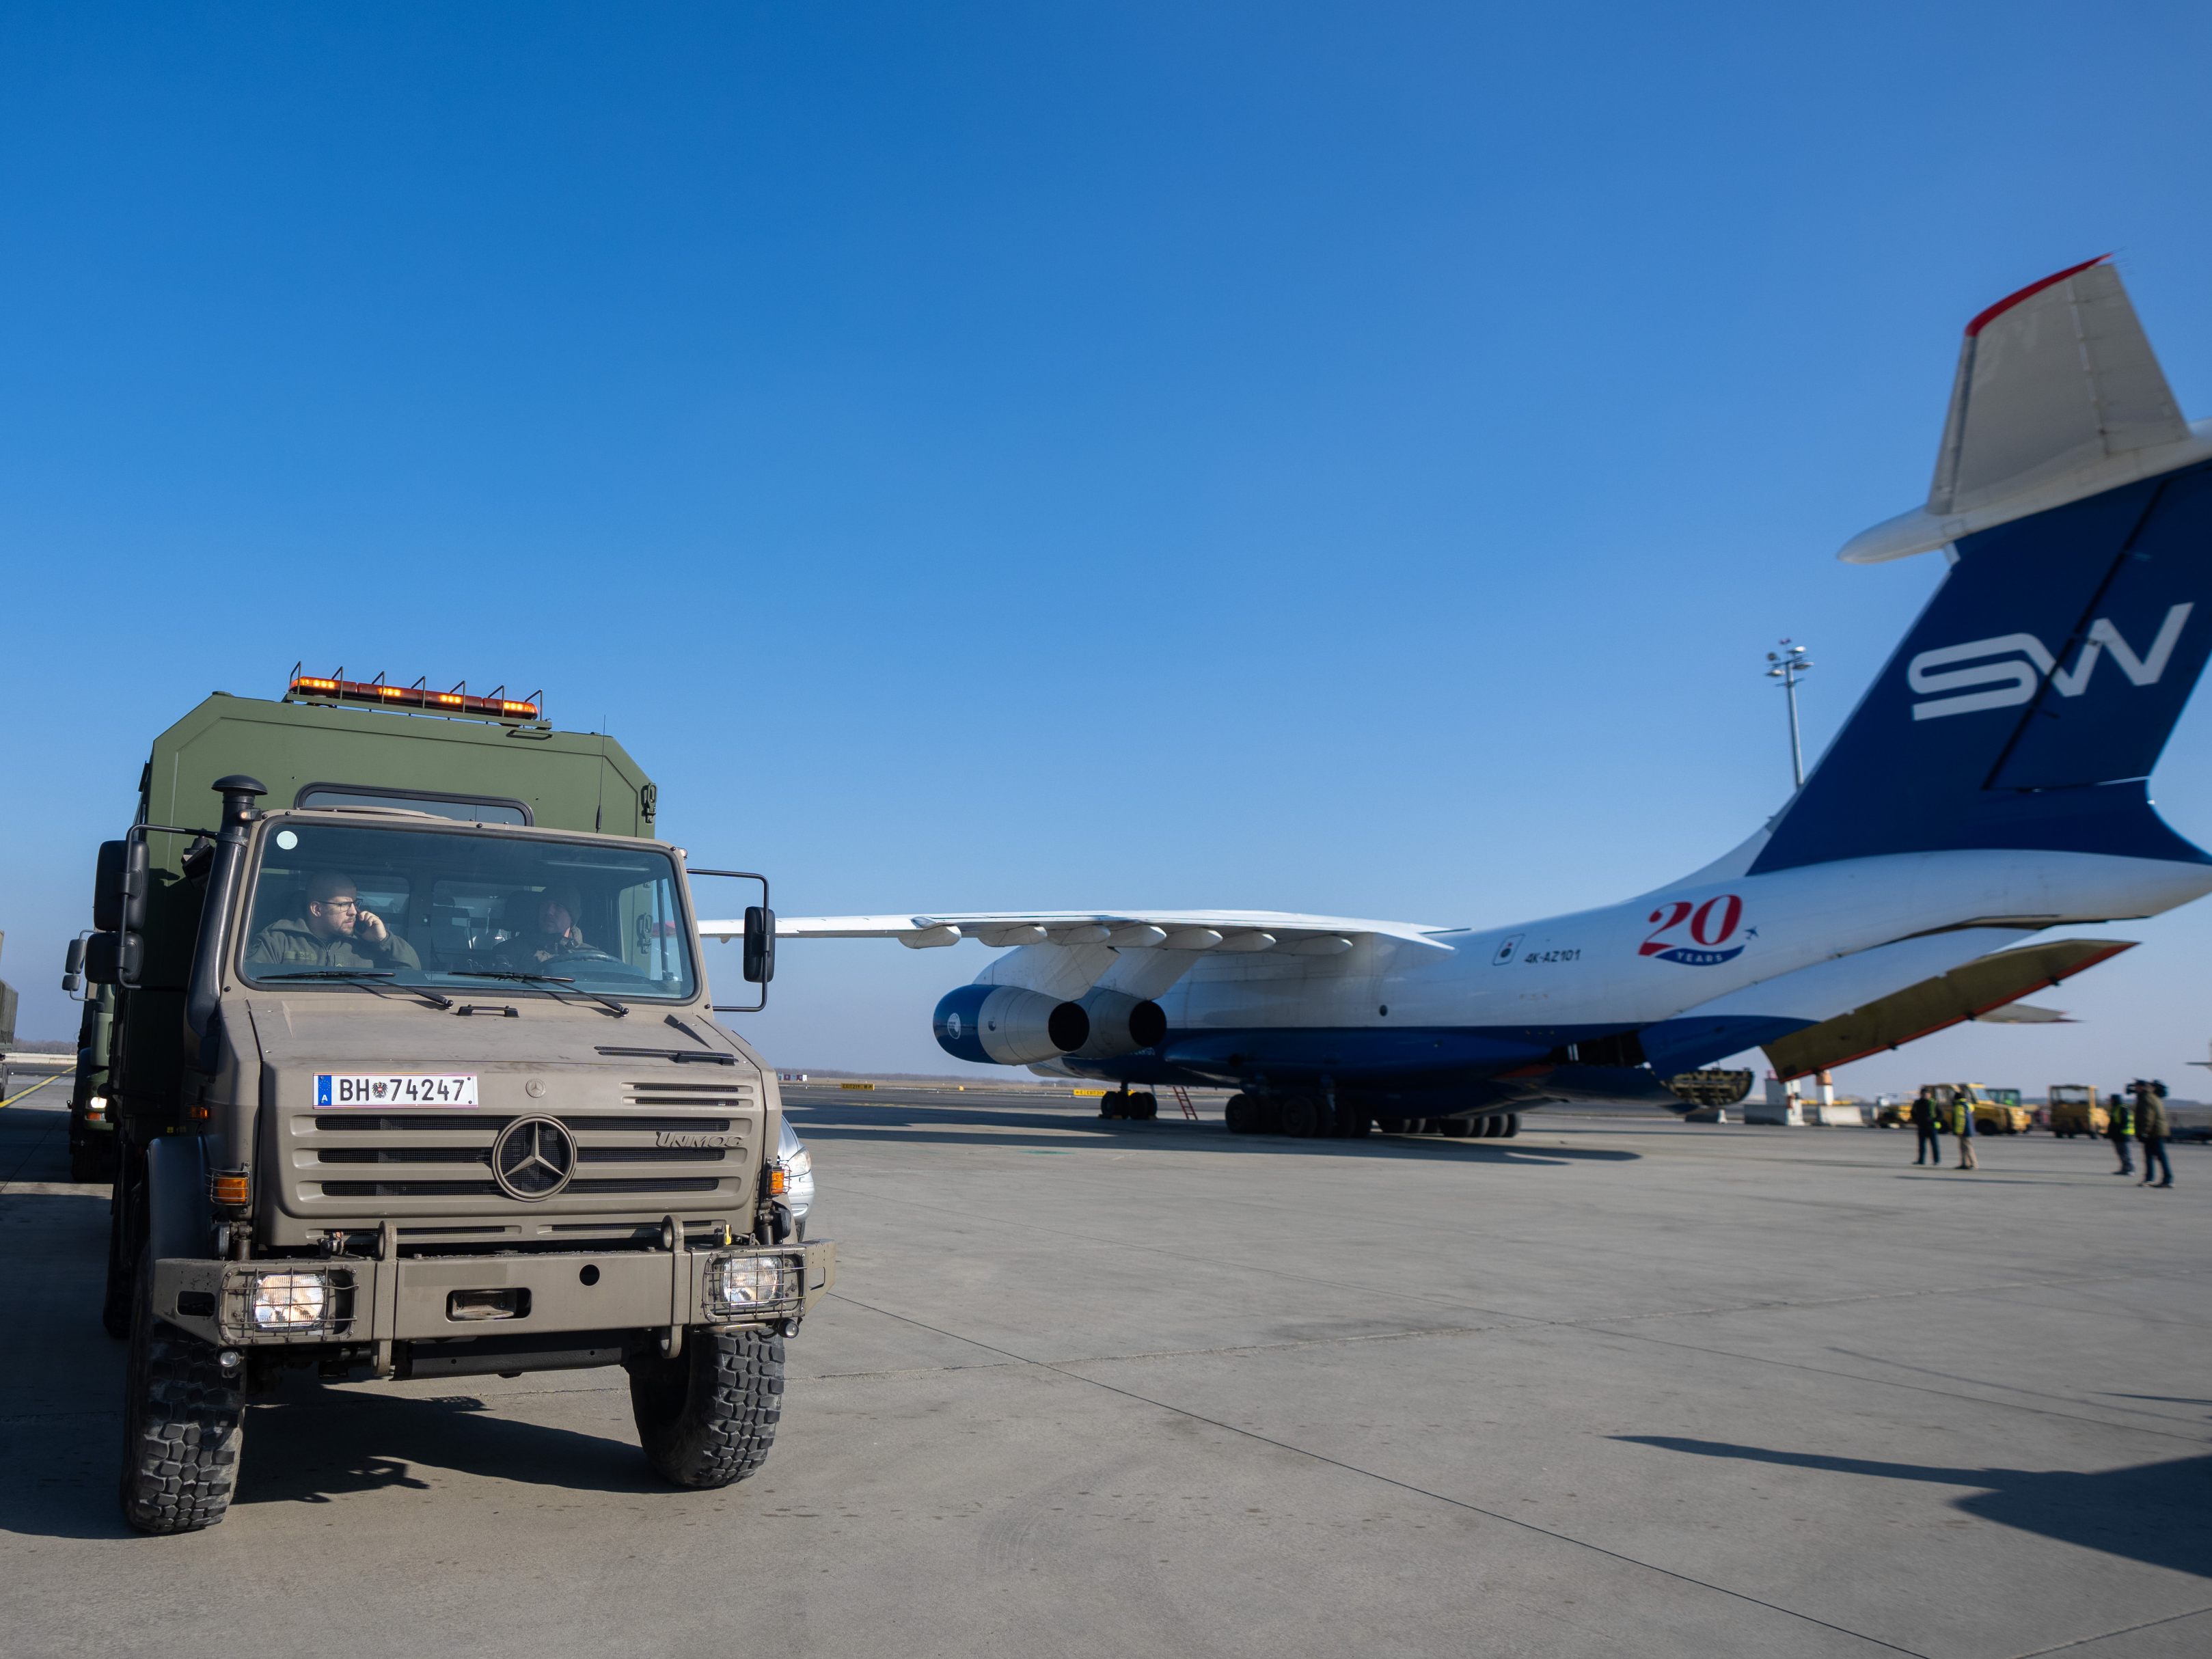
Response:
column 2058, row 397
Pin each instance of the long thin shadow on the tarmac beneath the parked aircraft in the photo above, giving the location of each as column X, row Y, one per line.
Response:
column 943, row 1127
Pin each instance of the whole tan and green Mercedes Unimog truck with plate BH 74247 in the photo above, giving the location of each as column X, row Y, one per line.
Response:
column 413, row 1072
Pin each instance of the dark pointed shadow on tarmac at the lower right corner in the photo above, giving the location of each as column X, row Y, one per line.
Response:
column 2149, row 1514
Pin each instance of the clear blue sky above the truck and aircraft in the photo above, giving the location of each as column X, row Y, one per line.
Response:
column 1291, row 457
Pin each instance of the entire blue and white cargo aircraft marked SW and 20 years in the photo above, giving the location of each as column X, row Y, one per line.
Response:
column 2021, row 722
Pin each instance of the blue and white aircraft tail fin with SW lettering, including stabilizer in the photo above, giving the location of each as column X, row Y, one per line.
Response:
column 2038, row 689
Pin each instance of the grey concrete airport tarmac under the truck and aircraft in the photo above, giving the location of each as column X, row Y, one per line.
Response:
column 1614, row 1388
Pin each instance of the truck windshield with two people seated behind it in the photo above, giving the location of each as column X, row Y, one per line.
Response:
column 448, row 908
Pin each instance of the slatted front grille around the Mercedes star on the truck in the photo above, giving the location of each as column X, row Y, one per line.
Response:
column 441, row 1162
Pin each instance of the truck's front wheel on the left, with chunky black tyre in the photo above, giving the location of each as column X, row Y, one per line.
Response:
column 182, row 1426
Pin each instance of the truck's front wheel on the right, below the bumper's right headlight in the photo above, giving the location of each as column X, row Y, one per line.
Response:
column 709, row 1417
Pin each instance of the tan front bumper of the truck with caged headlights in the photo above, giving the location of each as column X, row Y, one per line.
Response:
column 444, row 1297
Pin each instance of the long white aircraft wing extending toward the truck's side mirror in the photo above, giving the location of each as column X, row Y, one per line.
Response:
column 1127, row 930
